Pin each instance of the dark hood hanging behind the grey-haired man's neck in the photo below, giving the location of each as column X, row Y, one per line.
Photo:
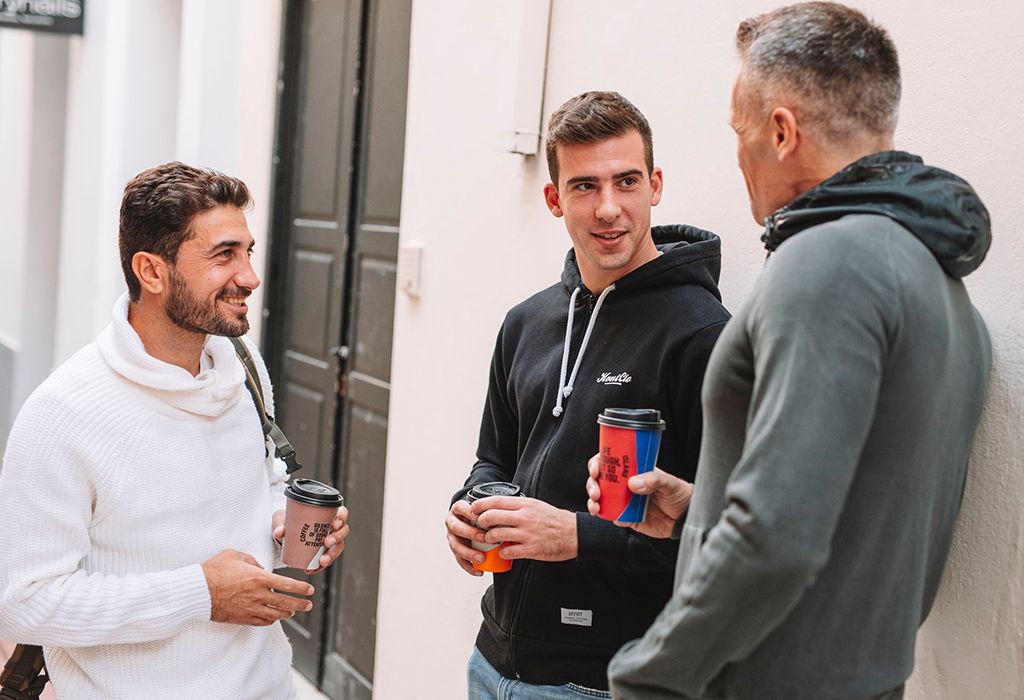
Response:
column 943, row 210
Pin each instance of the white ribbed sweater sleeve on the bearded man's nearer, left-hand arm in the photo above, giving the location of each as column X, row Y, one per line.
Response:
column 49, row 497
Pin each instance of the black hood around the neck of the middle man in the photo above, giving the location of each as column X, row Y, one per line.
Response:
column 691, row 256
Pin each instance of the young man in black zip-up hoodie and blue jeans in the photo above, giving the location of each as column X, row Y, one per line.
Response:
column 631, row 325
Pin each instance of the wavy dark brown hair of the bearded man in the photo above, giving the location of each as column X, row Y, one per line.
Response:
column 159, row 206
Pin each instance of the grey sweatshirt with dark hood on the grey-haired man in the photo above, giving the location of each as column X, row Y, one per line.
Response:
column 840, row 407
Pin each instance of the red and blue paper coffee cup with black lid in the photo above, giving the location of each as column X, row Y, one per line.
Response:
column 629, row 444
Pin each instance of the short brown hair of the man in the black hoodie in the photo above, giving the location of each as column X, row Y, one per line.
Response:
column 593, row 117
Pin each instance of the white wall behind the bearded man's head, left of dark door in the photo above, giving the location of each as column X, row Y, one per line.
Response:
column 152, row 82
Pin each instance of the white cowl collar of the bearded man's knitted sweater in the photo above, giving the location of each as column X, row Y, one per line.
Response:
column 174, row 388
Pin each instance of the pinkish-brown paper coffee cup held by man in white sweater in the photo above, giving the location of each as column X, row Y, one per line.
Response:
column 309, row 517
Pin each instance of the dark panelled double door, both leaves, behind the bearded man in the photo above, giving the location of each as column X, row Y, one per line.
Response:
column 331, row 300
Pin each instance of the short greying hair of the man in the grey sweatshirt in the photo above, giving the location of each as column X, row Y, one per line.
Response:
column 842, row 67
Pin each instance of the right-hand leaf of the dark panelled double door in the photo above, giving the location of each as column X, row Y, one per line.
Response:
column 350, row 663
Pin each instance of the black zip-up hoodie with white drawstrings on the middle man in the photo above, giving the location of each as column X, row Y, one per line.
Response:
column 649, row 348
